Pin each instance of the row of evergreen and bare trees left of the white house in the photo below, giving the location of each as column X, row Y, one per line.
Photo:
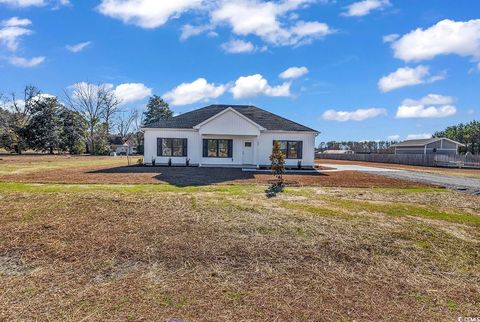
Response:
column 83, row 121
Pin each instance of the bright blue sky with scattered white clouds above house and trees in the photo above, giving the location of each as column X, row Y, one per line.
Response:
column 370, row 69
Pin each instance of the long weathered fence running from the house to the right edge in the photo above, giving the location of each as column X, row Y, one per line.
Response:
column 429, row 160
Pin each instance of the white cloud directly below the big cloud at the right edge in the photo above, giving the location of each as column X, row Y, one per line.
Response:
column 407, row 76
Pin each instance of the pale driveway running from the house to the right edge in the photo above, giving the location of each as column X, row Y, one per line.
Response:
column 469, row 185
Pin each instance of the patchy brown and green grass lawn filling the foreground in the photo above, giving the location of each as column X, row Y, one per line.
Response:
column 224, row 252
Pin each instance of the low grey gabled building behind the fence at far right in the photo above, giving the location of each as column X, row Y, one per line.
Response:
column 428, row 146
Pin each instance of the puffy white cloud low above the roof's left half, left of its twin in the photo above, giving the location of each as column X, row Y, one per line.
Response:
column 189, row 93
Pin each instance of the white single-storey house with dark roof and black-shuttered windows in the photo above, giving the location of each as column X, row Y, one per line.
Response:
column 228, row 135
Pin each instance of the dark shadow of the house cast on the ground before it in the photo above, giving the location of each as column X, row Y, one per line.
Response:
column 193, row 176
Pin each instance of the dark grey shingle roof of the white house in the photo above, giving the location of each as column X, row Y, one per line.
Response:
column 263, row 118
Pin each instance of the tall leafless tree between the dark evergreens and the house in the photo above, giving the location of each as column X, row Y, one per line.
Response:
column 96, row 103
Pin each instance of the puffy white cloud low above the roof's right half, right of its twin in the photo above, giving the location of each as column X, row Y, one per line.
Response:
column 255, row 85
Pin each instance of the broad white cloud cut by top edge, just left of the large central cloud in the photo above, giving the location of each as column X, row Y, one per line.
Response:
column 146, row 13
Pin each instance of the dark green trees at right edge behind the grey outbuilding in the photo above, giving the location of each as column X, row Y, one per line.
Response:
column 468, row 134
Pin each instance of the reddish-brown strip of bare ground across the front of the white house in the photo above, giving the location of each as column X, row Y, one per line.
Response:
column 192, row 176
